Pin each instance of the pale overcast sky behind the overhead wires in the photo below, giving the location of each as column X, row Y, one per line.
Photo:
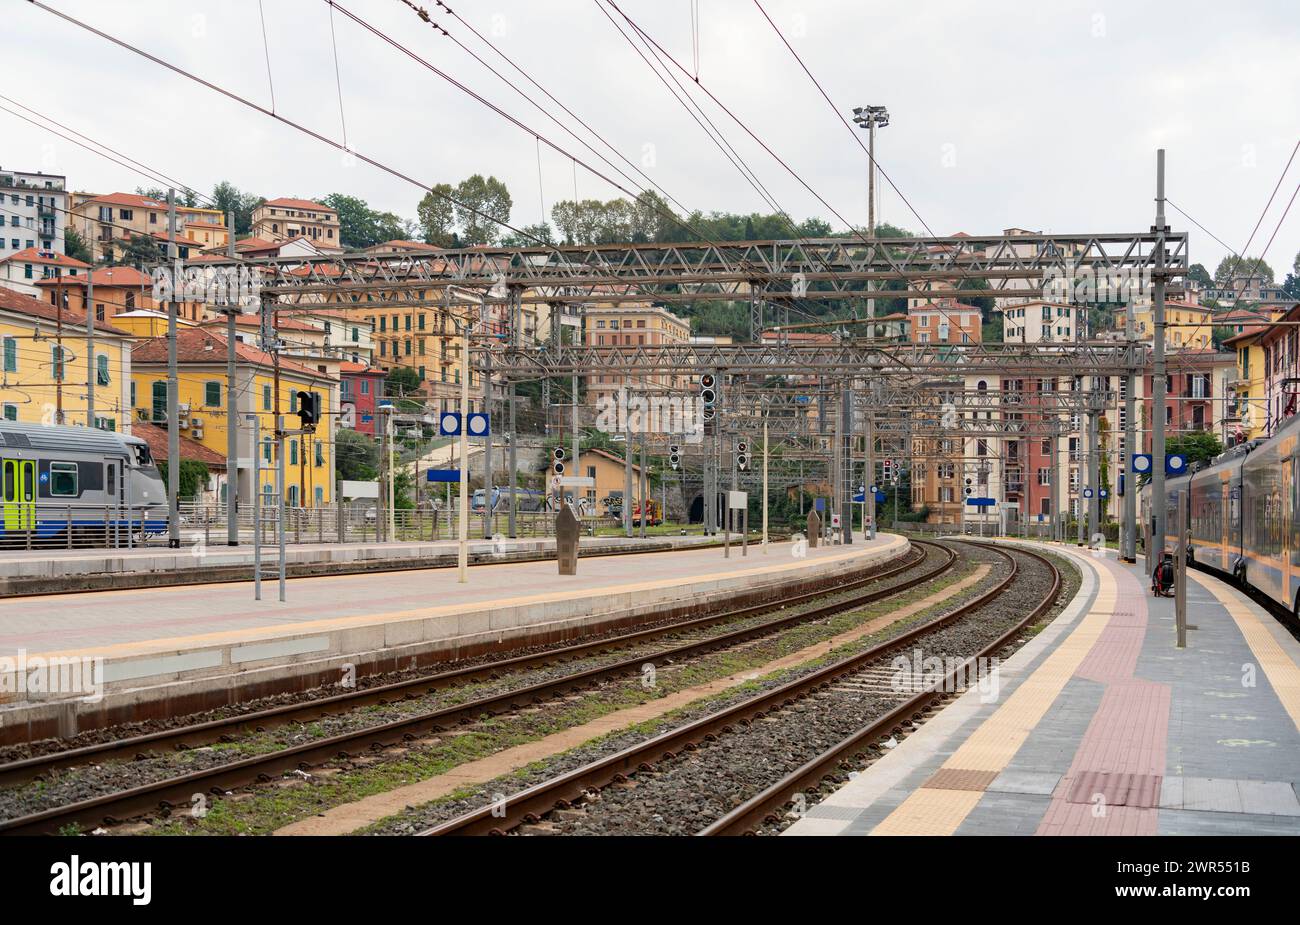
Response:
column 1043, row 116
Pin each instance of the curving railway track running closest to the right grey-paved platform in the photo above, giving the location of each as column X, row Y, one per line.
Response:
column 833, row 688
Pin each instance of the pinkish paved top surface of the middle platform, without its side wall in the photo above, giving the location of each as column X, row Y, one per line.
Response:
column 122, row 624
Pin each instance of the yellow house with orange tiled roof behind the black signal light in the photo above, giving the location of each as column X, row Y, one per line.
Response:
column 203, row 403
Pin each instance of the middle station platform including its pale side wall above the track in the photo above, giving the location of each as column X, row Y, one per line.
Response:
column 183, row 650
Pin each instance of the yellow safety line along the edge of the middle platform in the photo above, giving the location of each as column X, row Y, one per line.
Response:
column 362, row 620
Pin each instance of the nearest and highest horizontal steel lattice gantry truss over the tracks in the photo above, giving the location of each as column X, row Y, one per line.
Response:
column 821, row 268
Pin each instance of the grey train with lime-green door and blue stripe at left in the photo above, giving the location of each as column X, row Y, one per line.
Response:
column 77, row 487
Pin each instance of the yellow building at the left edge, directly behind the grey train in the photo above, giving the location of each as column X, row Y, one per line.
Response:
column 45, row 367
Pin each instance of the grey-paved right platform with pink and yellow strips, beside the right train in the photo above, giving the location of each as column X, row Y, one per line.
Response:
column 1102, row 727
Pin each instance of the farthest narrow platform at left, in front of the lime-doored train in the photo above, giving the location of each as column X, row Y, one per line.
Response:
column 58, row 571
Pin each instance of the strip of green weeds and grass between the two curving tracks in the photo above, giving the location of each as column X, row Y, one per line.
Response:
column 281, row 802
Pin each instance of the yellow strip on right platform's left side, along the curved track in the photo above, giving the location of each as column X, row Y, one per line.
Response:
column 996, row 741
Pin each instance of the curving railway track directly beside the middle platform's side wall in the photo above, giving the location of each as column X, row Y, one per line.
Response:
column 690, row 639
